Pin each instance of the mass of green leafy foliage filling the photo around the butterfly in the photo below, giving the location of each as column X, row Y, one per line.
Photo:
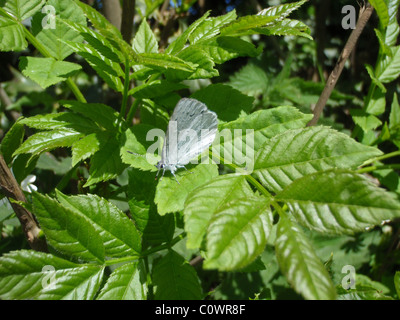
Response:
column 116, row 233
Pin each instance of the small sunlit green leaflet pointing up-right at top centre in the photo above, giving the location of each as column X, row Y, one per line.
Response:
column 210, row 27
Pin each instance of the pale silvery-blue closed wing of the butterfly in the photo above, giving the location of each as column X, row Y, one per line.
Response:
column 191, row 129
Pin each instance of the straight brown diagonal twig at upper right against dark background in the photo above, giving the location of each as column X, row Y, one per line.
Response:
column 365, row 14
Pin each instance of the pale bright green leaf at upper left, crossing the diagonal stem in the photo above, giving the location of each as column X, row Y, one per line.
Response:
column 47, row 71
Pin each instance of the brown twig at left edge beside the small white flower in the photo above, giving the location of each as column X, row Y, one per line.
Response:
column 12, row 190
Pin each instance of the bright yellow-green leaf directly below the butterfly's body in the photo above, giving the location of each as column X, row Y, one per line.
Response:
column 170, row 196
